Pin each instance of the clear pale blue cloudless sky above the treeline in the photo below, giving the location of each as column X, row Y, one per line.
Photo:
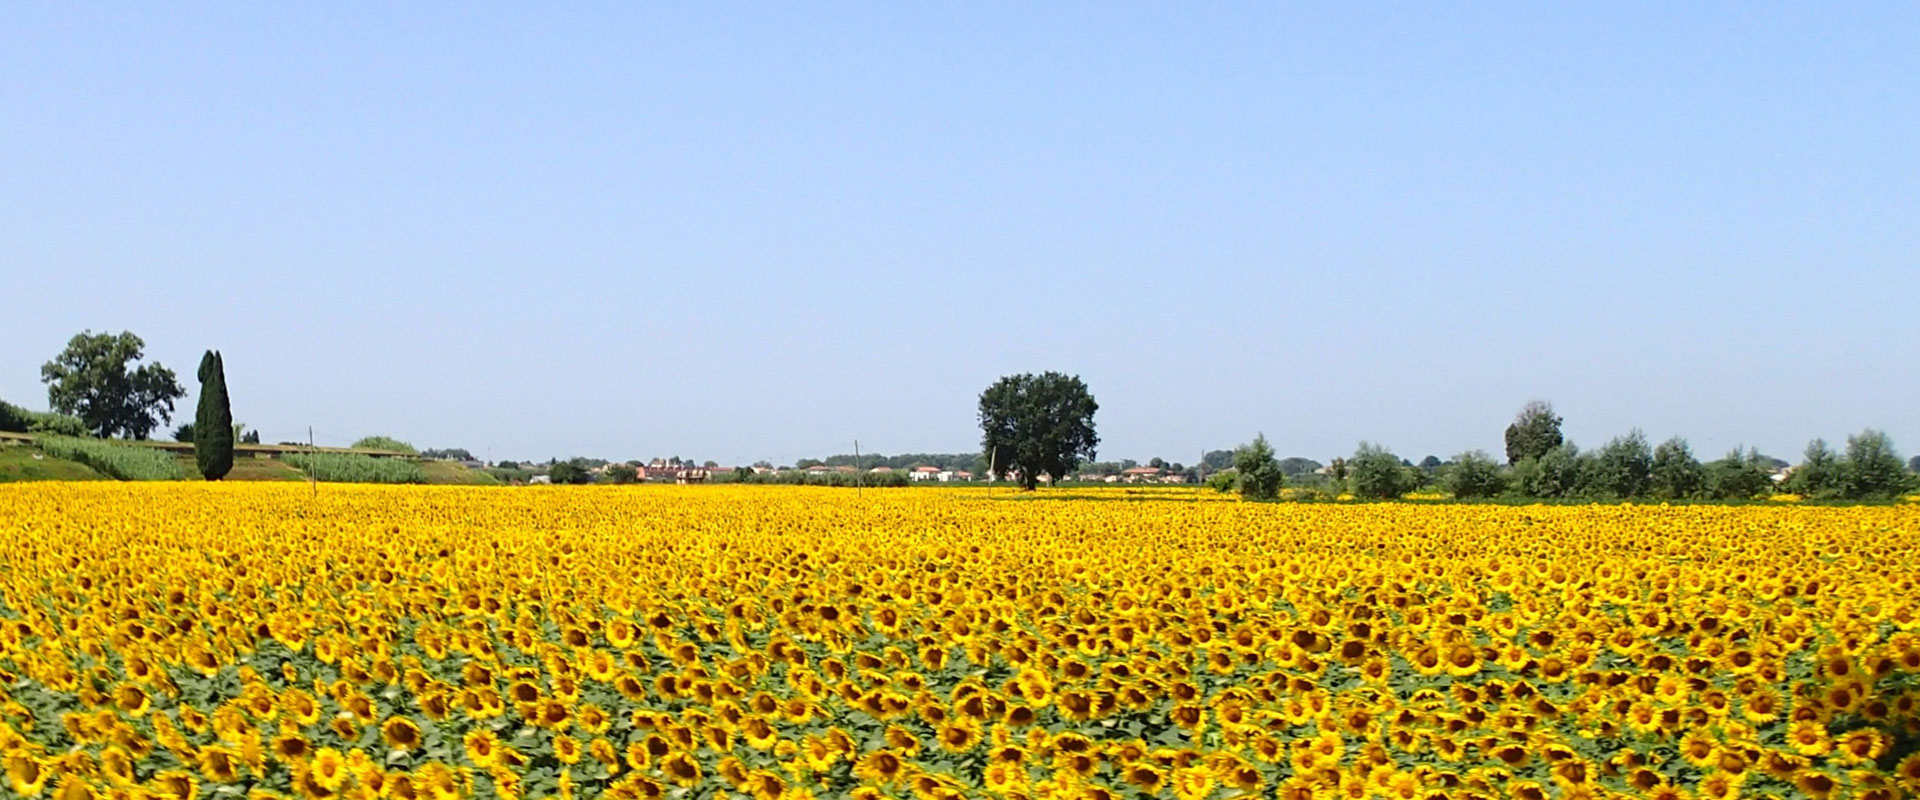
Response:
column 763, row 231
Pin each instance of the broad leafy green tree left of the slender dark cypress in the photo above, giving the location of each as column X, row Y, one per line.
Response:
column 95, row 381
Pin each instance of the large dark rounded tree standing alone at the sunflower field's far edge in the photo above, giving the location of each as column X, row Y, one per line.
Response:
column 1036, row 425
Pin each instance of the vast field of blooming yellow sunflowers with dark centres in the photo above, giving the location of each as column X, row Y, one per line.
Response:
column 368, row 642
